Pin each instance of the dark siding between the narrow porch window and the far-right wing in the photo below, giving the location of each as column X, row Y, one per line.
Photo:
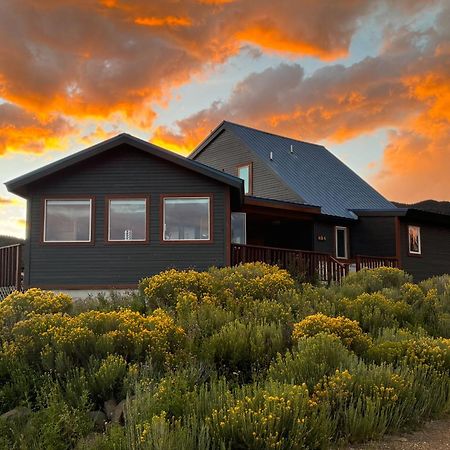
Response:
column 374, row 236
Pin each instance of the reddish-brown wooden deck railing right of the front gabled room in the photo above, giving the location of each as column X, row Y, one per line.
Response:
column 315, row 265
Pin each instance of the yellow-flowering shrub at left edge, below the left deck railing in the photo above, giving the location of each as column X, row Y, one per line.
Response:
column 20, row 305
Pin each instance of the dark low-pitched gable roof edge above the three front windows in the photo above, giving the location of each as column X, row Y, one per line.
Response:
column 19, row 184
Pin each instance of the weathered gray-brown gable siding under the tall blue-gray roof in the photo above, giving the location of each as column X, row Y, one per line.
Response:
column 227, row 151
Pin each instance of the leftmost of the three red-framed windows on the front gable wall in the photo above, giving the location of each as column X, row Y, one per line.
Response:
column 67, row 220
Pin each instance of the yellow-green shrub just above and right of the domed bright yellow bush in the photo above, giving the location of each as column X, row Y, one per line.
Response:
column 375, row 311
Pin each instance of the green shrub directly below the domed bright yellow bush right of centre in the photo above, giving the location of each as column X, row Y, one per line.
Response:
column 312, row 358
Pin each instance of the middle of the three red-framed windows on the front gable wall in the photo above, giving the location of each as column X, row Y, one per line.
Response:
column 127, row 219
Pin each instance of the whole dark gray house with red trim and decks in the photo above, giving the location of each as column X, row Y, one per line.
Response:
column 109, row 215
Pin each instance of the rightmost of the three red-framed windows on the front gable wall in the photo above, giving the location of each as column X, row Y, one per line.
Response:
column 186, row 219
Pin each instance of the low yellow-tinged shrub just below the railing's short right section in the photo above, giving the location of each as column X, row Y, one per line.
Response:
column 376, row 279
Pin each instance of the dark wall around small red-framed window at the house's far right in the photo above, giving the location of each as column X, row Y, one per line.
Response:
column 435, row 257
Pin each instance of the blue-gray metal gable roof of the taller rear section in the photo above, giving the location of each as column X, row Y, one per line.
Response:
column 311, row 171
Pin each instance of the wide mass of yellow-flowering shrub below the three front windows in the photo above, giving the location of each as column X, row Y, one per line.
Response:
column 97, row 333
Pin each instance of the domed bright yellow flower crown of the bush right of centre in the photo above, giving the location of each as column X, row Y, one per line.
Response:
column 348, row 331
